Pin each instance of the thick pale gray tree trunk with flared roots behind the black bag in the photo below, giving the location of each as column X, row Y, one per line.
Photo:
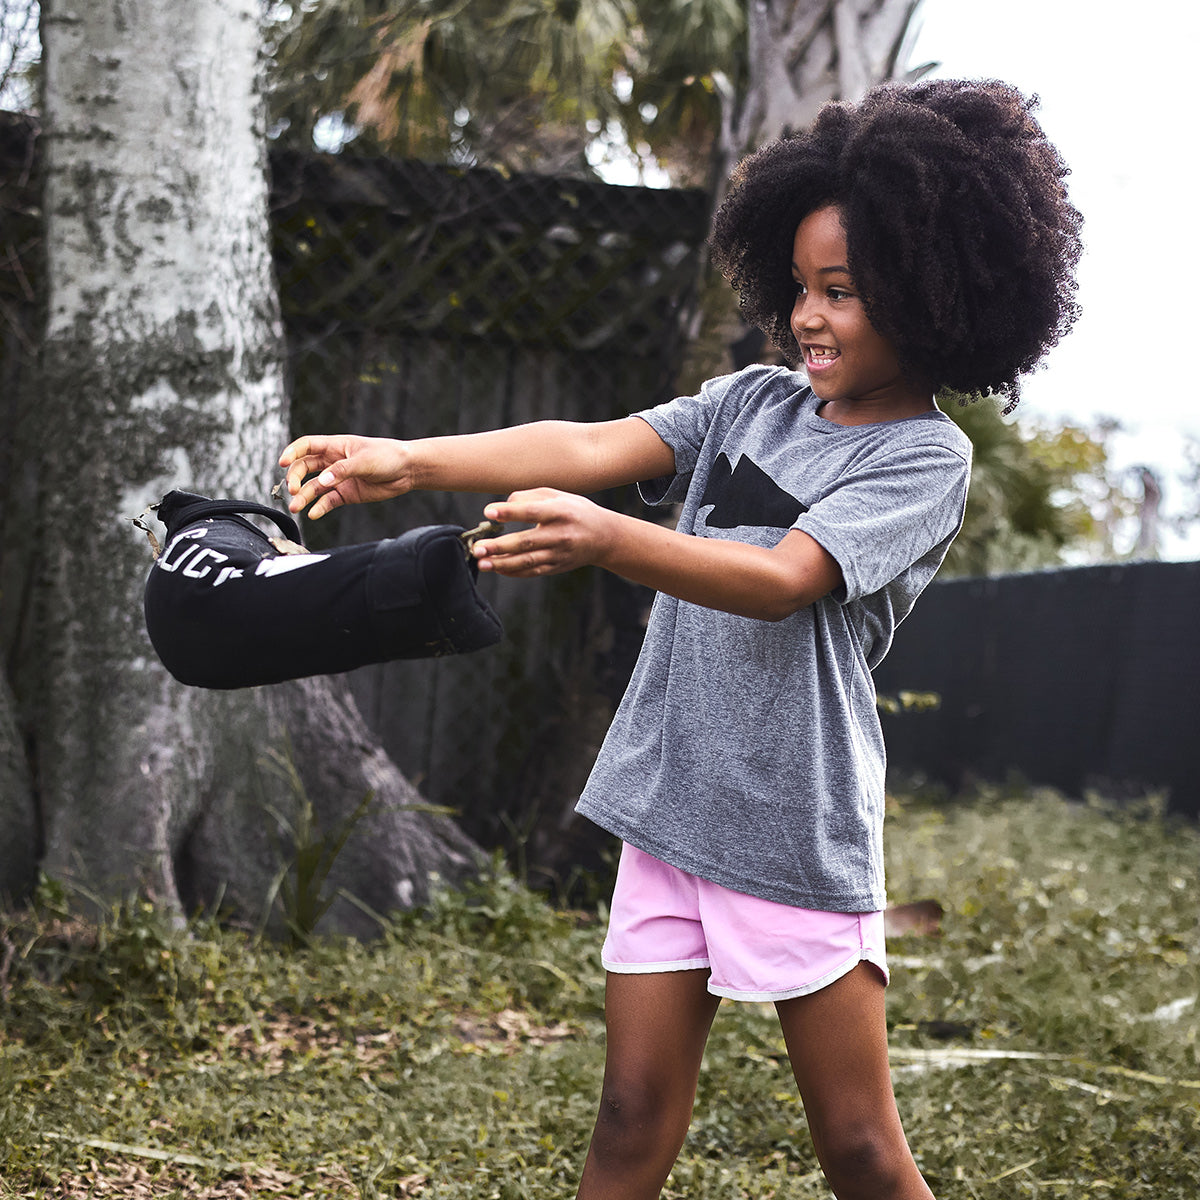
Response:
column 163, row 369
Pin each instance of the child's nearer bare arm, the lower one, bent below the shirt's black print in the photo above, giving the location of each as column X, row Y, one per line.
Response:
column 569, row 531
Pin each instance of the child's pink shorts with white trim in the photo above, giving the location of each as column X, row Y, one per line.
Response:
column 665, row 920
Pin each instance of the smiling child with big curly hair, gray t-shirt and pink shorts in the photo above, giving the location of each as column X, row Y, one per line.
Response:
column 916, row 241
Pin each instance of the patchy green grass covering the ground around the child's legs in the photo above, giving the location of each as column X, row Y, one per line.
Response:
column 1045, row 1046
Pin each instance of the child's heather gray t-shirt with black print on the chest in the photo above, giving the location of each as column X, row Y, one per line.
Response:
column 746, row 752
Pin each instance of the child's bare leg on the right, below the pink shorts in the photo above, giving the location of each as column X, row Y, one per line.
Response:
column 838, row 1045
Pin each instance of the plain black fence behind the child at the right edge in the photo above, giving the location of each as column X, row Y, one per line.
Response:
column 1081, row 679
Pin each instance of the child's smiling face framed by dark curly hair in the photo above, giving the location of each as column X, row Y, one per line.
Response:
column 850, row 364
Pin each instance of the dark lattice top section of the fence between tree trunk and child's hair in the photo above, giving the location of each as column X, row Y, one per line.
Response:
column 447, row 253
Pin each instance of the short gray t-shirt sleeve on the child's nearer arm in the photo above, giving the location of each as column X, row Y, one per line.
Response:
column 883, row 519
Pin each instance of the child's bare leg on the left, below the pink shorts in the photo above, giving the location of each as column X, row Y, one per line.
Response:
column 657, row 1029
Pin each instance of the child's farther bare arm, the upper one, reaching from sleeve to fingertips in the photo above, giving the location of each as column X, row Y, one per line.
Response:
column 328, row 472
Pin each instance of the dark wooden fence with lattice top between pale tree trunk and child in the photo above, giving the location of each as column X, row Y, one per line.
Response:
column 423, row 301
